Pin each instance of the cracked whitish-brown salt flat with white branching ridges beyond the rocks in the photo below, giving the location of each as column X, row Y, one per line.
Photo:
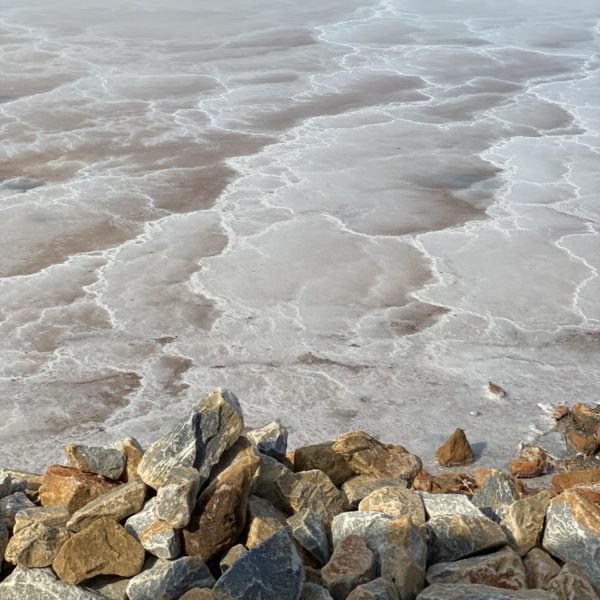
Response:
column 353, row 216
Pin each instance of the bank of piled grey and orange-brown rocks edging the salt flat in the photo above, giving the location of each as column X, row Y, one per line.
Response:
column 210, row 511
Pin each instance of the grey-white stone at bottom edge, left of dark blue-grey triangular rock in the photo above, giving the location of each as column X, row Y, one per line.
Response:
column 168, row 580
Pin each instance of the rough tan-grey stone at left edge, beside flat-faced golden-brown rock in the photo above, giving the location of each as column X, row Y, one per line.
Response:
column 36, row 546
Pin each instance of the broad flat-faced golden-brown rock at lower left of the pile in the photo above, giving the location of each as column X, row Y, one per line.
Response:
column 102, row 548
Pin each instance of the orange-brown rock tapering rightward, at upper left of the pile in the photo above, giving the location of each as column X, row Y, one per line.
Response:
column 71, row 488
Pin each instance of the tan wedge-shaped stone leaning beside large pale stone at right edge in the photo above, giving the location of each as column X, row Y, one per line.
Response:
column 524, row 520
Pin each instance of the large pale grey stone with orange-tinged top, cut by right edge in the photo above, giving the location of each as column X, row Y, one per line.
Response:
column 572, row 532
